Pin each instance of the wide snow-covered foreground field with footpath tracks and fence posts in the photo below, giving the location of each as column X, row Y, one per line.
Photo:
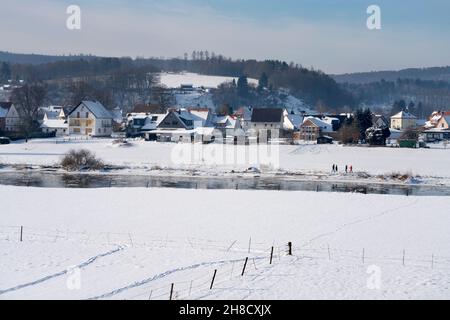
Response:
column 134, row 243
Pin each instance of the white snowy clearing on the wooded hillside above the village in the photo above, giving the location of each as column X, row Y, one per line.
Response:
column 175, row 80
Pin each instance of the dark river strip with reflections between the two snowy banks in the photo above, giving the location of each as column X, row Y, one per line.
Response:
column 58, row 180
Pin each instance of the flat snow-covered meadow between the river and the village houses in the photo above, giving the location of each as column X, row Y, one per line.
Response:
column 142, row 157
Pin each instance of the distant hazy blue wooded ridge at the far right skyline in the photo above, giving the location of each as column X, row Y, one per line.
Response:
column 434, row 74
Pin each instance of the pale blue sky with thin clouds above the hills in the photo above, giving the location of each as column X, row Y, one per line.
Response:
column 328, row 34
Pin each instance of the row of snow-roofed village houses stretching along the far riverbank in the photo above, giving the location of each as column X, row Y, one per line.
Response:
column 91, row 119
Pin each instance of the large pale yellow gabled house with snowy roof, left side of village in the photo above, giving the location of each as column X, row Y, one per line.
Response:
column 90, row 118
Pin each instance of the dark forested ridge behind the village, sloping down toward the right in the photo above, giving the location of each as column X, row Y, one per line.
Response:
column 313, row 87
